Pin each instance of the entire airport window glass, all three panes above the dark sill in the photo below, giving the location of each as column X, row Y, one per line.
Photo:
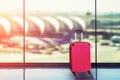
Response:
column 40, row 31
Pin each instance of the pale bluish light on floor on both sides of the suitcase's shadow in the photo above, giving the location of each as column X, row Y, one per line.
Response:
column 54, row 74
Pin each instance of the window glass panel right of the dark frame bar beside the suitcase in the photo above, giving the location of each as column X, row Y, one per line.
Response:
column 108, row 28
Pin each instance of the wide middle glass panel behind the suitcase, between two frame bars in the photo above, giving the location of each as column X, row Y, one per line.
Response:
column 50, row 25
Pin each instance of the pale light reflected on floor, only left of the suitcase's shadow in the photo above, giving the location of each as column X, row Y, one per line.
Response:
column 36, row 74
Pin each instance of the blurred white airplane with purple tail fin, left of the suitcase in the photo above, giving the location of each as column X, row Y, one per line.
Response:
column 37, row 43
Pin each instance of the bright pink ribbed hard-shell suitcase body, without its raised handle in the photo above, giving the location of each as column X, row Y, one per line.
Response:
column 80, row 60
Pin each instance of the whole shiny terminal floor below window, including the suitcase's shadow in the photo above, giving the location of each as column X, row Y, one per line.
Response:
column 57, row 73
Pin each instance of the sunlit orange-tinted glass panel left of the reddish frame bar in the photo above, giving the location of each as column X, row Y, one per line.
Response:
column 11, row 27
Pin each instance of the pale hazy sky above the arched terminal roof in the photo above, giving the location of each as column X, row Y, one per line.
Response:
column 60, row 6
